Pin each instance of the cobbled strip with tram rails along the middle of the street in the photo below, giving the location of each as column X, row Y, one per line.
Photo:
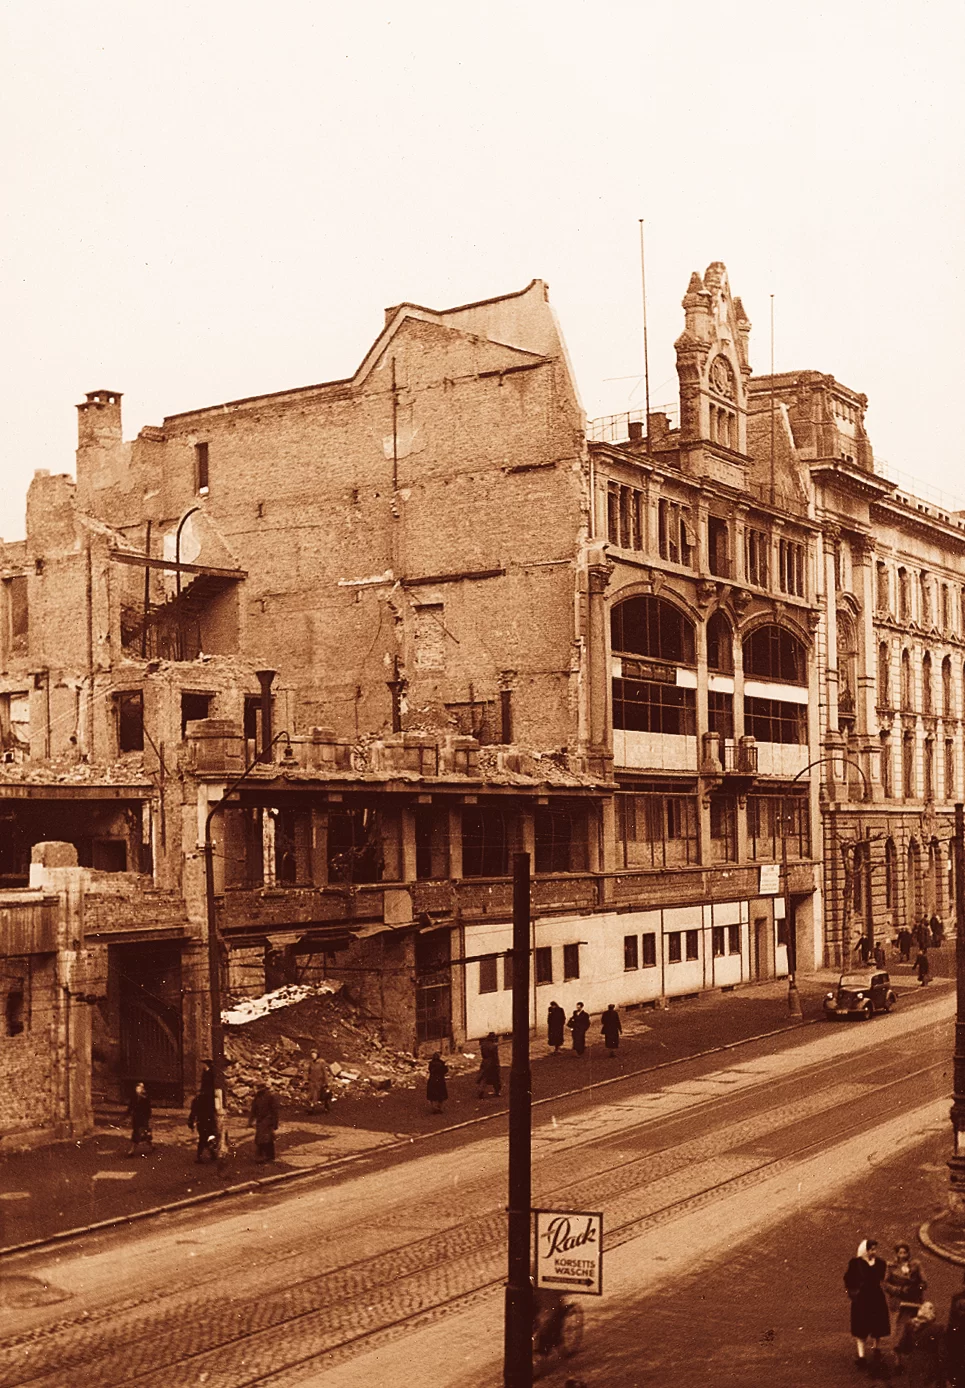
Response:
column 338, row 1312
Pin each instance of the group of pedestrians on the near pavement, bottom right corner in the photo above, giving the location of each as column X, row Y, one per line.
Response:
column 930, row 1354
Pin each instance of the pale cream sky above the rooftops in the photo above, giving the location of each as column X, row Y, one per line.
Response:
column 206, row 202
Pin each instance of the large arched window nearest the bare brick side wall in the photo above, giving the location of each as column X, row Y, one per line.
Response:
column 652, row 638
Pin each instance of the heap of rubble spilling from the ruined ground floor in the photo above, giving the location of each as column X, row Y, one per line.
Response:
column 271, row 1039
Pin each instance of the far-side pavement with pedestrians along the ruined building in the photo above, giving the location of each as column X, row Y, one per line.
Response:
column 74, row 1186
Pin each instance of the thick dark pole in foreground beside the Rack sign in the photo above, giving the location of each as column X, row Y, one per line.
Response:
column 519, row 1342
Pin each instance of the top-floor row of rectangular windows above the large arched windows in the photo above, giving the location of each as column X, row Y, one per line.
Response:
column 677, row 541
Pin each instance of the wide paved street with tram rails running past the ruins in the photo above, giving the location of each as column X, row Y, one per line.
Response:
column 319, row 1283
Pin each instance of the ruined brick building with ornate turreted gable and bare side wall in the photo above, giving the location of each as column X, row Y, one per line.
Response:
column 431, row 620
